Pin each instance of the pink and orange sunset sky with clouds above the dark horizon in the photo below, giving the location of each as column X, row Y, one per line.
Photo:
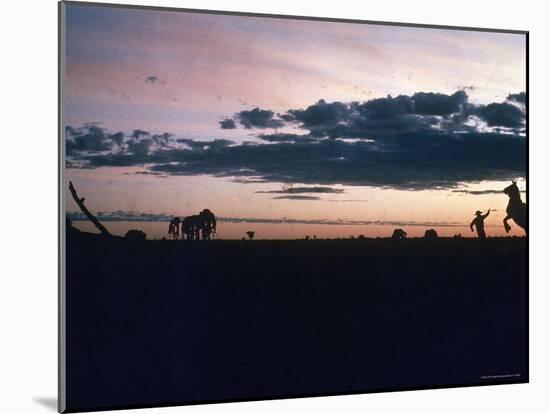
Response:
column 290, row 127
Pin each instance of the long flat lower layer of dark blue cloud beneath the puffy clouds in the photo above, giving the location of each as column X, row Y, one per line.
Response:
column 411, row 161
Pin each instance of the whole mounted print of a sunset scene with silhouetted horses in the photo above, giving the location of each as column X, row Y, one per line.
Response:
column 258, row 207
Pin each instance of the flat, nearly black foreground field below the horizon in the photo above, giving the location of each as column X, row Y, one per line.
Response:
column 162, row 322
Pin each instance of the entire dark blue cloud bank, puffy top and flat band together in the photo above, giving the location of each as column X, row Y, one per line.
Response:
column 407, row 142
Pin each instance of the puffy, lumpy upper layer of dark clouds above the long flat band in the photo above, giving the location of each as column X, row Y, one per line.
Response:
column 422, row 111
